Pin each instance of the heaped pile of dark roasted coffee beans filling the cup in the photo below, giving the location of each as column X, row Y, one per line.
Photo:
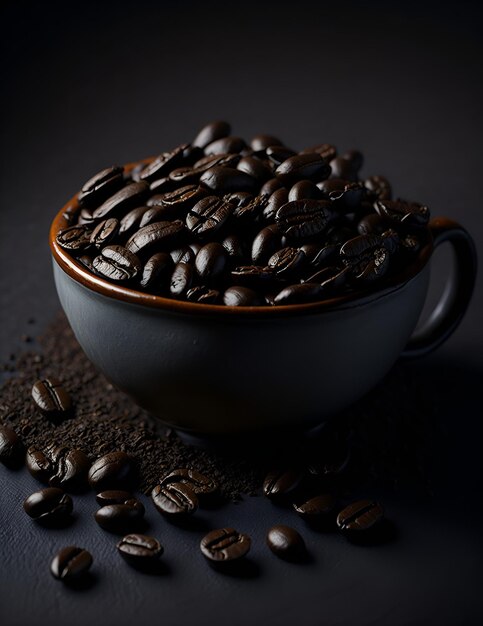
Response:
column 227, row 222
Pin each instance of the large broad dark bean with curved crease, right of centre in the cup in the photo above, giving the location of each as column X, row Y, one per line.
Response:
column 304, row 219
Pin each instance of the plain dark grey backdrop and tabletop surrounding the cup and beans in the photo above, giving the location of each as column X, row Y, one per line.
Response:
column 86, row 85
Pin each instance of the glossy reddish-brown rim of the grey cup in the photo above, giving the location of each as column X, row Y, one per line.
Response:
column 80, row 274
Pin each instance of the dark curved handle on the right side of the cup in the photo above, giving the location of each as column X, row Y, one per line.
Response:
column 454, row 301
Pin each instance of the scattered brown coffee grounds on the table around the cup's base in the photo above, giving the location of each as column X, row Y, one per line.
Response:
column 388, row 431
